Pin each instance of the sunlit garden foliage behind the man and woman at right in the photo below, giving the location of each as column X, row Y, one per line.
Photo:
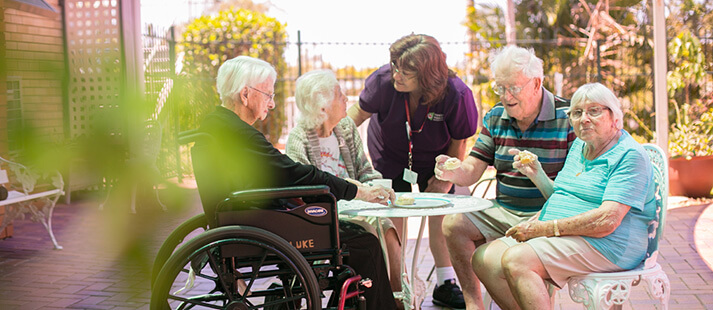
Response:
column 595, row 40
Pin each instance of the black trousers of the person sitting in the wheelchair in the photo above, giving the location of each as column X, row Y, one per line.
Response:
column 367, row 259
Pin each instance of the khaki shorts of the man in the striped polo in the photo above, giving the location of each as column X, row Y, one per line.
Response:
column 496, row 220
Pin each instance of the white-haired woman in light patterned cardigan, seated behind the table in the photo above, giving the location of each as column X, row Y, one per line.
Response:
column 326, row 138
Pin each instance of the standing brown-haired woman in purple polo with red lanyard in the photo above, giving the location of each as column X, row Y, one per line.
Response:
column 418, row 109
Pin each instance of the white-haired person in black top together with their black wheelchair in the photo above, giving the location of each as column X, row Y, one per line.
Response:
column 271, row 238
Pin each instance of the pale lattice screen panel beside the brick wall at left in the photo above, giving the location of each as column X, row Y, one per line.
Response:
column 95, row 66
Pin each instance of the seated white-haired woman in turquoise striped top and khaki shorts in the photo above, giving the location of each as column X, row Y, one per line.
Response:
column 595, row 218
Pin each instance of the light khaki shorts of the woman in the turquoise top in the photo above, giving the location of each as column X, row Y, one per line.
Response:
column 567, row 256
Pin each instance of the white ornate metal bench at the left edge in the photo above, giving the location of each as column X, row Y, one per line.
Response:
column 39, row 204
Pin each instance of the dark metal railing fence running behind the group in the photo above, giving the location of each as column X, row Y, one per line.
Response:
column 627, row 69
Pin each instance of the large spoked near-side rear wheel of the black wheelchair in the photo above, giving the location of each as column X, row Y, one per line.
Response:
column 236, row 267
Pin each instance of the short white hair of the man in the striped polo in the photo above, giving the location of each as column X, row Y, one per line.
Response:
column 510, row 61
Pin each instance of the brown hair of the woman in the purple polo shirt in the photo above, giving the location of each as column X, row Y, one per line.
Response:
column 422, row 54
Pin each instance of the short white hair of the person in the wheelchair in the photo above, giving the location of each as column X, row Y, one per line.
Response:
column 240, row 72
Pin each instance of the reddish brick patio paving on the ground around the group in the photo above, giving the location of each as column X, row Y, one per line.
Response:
column 107, row 256
